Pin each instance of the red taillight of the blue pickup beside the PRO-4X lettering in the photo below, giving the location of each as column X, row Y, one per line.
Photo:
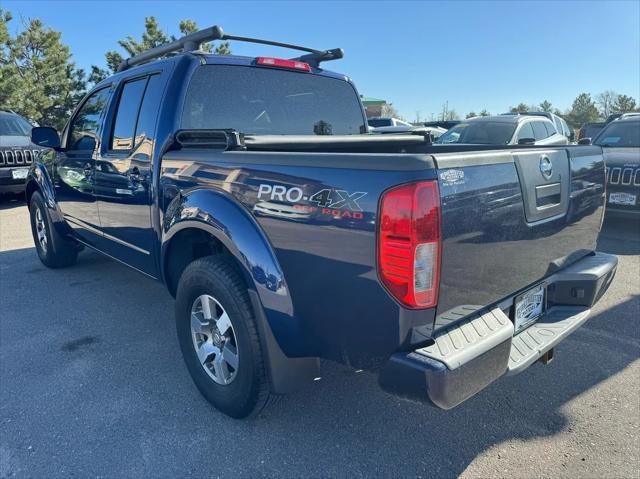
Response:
column 409, row 243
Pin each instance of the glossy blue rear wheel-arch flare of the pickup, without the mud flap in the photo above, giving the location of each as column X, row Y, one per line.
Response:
column 220, row 215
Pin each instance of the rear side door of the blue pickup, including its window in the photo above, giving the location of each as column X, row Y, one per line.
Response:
column 123, row 180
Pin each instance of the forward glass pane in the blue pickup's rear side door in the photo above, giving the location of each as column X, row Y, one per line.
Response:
column 122, row 137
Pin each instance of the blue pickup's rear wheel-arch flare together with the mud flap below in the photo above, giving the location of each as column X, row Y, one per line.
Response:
column 221, row 216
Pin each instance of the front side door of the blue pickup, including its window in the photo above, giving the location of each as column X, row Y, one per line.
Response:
column 75, row 168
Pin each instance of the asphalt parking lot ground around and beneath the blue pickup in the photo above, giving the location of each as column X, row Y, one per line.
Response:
column 92, row 385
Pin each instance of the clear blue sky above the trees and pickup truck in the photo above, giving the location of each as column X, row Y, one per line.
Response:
column 416, row 55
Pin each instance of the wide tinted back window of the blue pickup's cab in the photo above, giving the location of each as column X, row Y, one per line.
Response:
column 268, row 101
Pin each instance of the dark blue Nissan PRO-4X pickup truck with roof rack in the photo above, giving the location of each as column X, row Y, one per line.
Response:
column 287, row 234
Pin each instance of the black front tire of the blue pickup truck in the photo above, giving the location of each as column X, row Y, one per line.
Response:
column 57, row 252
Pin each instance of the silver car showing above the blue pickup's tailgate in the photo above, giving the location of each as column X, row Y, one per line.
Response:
column 505, row 130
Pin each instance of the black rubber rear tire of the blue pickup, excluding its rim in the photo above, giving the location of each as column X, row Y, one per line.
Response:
column 248, row 392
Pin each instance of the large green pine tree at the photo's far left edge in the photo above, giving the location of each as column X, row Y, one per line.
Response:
column 37, row 77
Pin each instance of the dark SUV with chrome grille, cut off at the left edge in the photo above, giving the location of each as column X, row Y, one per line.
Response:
column 16, row 152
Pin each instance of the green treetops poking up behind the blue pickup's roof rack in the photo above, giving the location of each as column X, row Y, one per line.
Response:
column 152, row 36
